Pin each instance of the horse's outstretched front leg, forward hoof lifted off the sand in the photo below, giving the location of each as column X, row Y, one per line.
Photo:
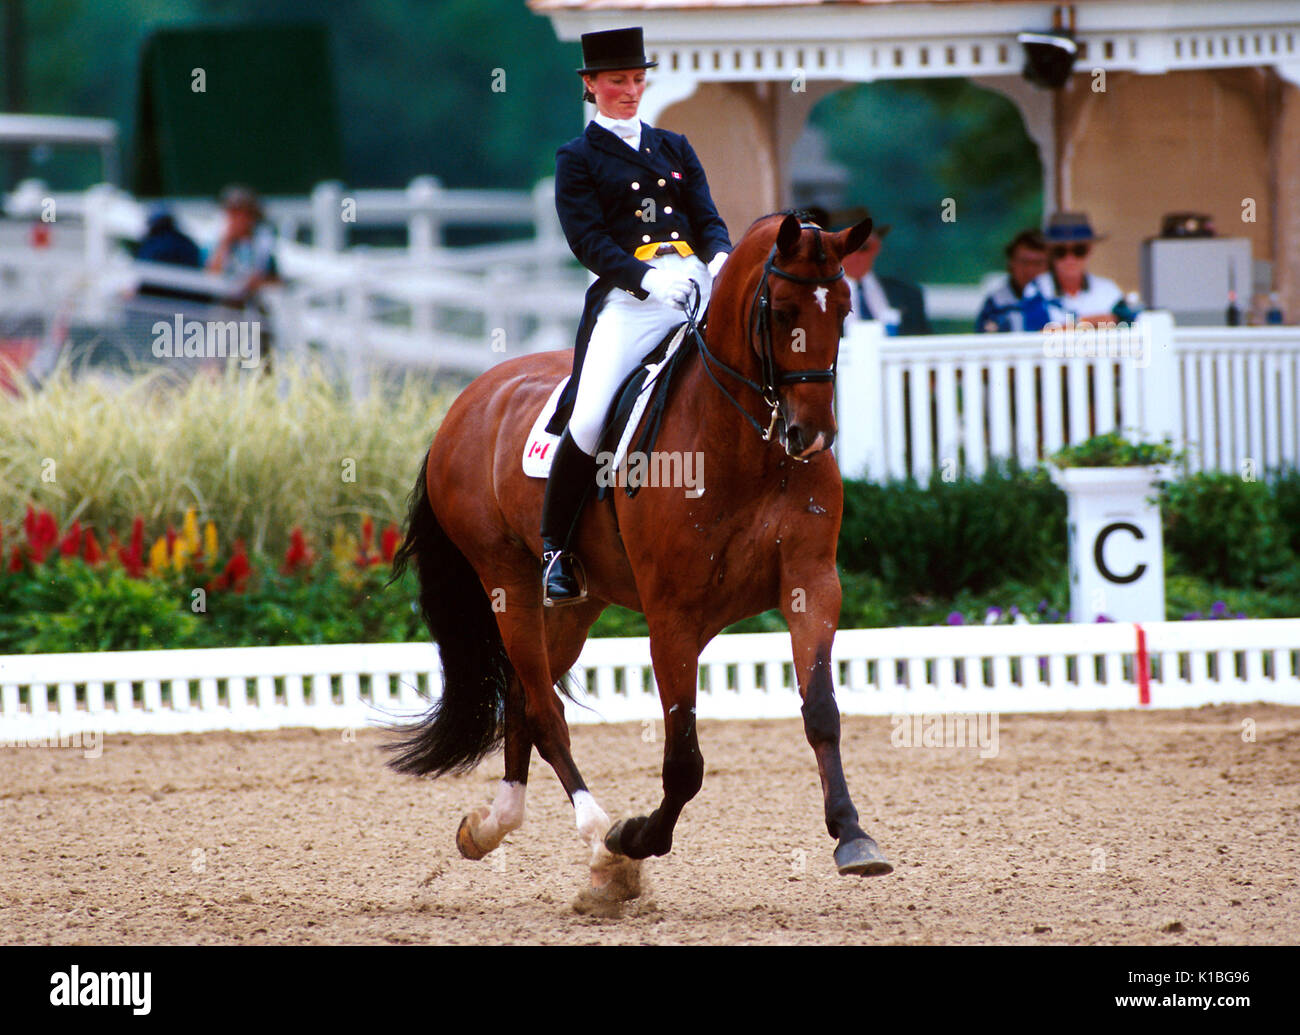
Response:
column 812, row 608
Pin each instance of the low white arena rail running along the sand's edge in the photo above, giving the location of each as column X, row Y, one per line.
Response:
column 1004, row 669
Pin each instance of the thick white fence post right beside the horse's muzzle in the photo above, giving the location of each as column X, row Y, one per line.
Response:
column 860, row 444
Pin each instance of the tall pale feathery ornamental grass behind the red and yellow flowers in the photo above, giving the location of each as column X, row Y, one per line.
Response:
column 257, row 453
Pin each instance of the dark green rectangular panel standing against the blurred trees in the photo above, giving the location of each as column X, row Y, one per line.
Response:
column 268, row 115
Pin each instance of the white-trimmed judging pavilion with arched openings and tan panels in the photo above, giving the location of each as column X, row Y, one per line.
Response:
column 1202, row 98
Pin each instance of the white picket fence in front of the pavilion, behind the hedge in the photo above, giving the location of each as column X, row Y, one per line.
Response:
column 957, row 402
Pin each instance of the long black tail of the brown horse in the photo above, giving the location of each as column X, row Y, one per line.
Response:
column 467, row 722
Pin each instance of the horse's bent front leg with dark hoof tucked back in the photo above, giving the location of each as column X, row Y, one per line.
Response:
column 677, row 664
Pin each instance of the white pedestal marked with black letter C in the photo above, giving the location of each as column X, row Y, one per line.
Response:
column 1117, row 557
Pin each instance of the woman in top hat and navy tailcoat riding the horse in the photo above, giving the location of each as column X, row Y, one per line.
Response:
column 636, row 210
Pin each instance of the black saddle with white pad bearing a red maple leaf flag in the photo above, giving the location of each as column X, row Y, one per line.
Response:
column 644, row 393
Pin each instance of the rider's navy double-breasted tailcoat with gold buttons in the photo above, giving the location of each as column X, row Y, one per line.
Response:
column 613, row 200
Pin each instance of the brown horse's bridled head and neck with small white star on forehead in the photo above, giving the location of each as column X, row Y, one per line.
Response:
column 785, row 295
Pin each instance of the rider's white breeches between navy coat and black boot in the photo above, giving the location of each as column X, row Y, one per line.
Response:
column 626, row 330
